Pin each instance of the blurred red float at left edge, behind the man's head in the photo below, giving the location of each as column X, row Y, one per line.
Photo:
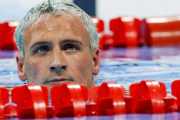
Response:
column 7, row 39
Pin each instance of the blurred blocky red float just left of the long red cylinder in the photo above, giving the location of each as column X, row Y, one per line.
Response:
column 126, row 32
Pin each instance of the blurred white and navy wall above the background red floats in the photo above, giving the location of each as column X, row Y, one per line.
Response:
column 14, row 10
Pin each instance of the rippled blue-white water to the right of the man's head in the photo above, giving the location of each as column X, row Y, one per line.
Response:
column 126, row 72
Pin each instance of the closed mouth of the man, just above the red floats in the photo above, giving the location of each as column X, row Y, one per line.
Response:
column 58, row 81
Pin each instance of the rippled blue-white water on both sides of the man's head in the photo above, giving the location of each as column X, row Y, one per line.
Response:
column 125, row 71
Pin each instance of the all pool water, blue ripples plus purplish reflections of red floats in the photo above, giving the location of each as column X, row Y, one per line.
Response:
column 125, row 66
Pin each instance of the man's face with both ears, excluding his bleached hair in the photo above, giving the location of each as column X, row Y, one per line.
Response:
column 58, row 51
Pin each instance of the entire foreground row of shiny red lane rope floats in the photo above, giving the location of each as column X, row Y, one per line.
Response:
column 71, row 100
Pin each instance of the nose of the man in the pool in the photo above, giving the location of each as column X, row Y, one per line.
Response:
column 58, row 63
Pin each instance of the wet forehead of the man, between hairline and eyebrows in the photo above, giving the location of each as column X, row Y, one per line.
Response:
column 59, row 23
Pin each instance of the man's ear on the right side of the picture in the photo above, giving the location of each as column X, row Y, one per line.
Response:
column 96, row 62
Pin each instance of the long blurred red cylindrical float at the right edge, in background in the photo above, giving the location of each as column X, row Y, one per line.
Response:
column 161, row 31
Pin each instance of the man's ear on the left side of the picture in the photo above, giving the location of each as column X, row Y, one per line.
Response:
column 20, row 67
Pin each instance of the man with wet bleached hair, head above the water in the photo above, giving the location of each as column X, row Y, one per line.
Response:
column 57, row 43
